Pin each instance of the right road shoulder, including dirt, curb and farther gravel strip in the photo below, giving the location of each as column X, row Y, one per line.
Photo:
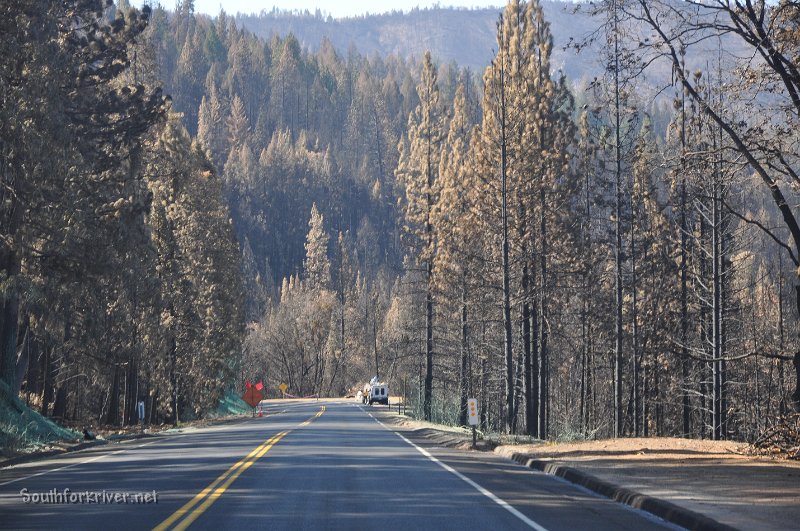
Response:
column 699, row 485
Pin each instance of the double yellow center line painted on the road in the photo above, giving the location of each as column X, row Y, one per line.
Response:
column 211, row 493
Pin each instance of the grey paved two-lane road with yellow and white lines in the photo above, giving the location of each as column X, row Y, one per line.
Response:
column 311, row 465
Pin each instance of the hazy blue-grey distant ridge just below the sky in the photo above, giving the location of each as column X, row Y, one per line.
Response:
column 465, row 37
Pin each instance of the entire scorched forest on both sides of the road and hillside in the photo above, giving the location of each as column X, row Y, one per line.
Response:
column 585, row 258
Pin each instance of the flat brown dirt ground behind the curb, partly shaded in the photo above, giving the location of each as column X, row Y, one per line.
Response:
column 722, row 480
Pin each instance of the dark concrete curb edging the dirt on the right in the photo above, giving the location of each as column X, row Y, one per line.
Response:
column 663, row 509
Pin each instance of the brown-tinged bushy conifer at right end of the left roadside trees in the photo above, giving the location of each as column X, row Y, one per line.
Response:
column 199, row 269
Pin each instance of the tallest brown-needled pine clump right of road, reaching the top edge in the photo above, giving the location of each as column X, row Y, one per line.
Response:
column 523, row 155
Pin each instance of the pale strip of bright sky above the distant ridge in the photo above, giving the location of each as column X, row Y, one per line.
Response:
column 335, row 8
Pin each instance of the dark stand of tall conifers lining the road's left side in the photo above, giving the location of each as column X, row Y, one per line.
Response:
column 119, row 264
